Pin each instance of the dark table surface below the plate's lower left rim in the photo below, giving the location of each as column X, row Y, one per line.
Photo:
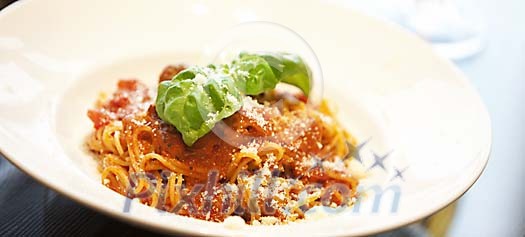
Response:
column 28, row 209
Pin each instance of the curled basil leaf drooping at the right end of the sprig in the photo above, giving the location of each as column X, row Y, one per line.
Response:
column 287, row 68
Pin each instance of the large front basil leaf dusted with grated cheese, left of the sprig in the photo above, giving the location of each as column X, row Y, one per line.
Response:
column 195, row 100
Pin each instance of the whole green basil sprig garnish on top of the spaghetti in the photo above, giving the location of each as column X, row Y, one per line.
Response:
column 199, row 97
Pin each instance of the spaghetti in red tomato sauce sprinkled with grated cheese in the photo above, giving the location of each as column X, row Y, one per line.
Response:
column 269, row 162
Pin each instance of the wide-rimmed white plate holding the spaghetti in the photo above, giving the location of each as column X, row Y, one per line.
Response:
column 55, row 56
